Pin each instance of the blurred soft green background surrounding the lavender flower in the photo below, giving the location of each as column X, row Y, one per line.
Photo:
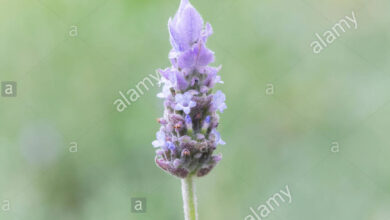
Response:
column 67, row 86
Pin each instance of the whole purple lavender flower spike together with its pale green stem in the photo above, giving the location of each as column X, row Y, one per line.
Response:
column 188, row 135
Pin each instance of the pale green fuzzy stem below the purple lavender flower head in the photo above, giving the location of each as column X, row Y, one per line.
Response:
column 189, row 198
